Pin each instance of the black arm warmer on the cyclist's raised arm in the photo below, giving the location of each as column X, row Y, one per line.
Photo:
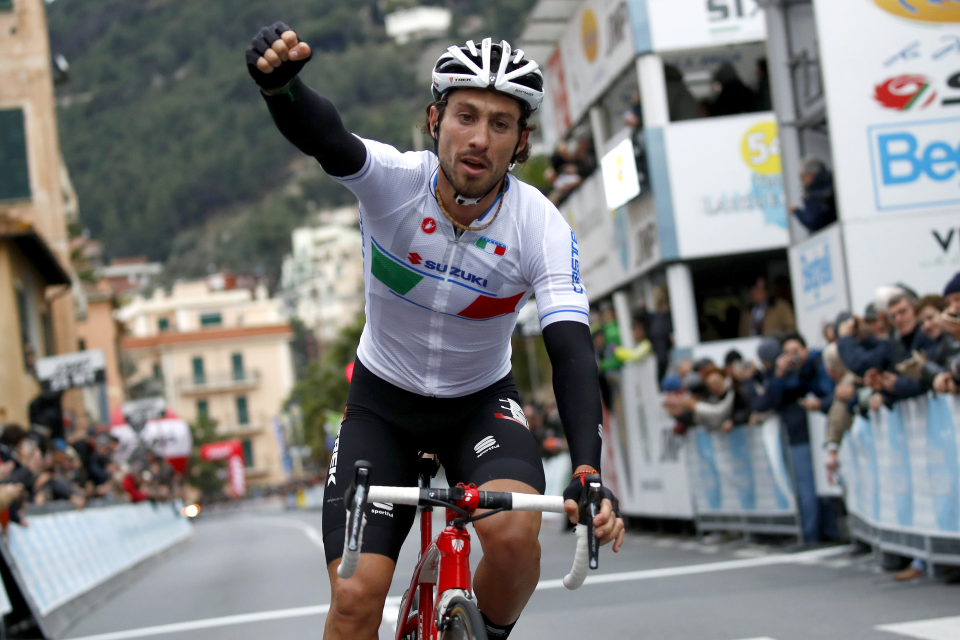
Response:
column 312, row 124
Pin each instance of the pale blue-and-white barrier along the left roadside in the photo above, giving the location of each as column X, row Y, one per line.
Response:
column 53, row 569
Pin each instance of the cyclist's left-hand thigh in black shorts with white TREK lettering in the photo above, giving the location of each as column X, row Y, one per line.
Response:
column 366, row 436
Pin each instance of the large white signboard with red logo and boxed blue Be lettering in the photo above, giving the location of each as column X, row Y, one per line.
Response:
column 893, row 101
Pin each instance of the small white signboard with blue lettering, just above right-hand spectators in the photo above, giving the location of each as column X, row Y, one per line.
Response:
column 819, row 283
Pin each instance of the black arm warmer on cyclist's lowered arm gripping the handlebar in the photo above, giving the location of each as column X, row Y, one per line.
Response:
column 577, row 388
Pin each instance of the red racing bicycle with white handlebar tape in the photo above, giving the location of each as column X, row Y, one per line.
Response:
column 444, row 563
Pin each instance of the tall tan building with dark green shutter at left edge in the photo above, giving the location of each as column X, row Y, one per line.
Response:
column 36, row 199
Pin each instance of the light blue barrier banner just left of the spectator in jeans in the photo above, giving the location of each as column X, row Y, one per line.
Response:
column 743, row 472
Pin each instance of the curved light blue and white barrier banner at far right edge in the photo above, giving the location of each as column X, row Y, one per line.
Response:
column 901, row 467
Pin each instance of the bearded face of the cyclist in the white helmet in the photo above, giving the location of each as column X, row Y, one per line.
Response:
column 479, row 134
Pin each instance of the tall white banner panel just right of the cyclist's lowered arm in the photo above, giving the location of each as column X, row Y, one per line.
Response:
column 649, row 458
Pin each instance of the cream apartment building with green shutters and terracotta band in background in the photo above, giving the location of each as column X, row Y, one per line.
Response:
column 219, row 349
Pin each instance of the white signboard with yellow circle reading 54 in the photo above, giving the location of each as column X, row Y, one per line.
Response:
column 726, row 185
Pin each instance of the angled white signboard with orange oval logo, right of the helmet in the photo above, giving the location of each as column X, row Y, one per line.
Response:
column 595, row 48
